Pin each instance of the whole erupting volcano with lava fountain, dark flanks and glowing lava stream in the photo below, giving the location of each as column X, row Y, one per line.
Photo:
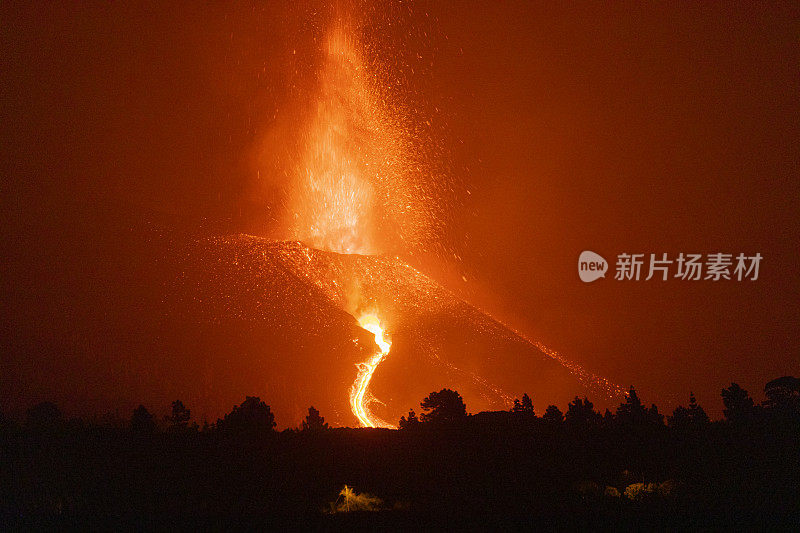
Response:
column 329, row 311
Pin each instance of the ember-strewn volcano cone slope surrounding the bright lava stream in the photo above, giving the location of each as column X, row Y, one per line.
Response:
column 279, row 320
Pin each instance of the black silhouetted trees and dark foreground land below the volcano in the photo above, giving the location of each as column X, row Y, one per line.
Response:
column 632, row 467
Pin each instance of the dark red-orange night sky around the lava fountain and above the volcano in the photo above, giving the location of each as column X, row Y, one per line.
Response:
column 613, row 128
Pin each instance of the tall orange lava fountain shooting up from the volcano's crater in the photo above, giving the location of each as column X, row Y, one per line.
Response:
column 353, row 189
